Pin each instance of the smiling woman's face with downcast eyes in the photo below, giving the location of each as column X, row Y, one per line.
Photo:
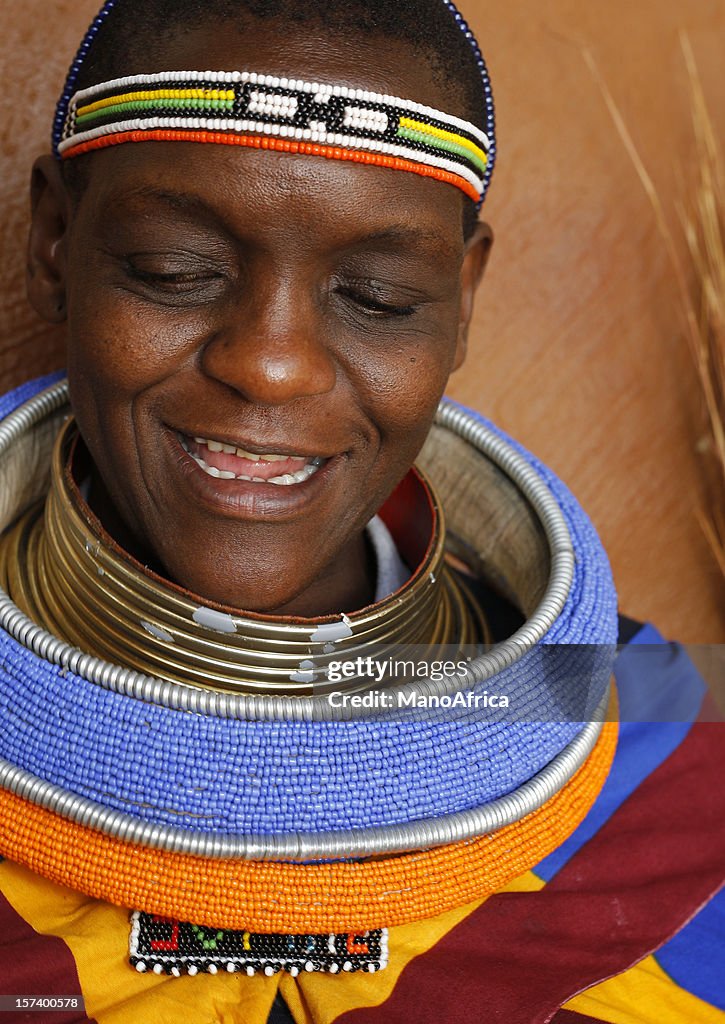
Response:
column 303, row 315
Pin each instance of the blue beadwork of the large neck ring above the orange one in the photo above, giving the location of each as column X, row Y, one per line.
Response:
column 221, row 775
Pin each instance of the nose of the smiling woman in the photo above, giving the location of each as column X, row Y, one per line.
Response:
column 272, row 349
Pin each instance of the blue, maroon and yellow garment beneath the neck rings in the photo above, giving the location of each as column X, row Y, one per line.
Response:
column 624, row 923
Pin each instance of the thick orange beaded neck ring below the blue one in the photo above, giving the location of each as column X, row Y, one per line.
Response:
column 269, row 897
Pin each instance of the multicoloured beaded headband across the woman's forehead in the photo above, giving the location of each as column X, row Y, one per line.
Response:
column 268, row 112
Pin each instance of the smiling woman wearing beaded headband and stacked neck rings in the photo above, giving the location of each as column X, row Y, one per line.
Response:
column 263, row 234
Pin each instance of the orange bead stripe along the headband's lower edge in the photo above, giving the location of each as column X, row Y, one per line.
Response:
column 283, row 146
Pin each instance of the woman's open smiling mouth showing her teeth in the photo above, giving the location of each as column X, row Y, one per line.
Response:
column 226, row 462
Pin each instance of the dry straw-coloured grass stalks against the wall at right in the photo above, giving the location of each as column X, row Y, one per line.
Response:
column 701, row 283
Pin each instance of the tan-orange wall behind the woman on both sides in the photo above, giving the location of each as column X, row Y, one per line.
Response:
column 577, row 348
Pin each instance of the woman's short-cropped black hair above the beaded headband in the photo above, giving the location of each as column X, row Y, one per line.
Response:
column 427, row 26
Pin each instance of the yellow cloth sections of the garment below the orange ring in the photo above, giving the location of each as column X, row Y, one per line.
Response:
column 98, row 936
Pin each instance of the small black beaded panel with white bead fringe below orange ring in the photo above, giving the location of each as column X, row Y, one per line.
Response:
column 164, row 946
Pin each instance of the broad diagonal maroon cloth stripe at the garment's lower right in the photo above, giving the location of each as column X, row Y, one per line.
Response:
column 648, row 872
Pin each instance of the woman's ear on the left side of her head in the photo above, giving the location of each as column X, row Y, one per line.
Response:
column 51, row 206
